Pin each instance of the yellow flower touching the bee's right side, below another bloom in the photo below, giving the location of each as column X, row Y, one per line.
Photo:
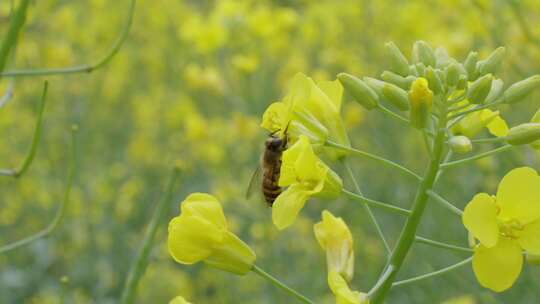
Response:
column 305, row 175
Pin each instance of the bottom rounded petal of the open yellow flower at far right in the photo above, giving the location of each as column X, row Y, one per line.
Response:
column 497, row 268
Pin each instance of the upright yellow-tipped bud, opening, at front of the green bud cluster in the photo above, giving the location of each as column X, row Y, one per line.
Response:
column 421, row 99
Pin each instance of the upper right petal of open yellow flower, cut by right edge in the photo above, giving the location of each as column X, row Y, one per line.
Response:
column 519, row 195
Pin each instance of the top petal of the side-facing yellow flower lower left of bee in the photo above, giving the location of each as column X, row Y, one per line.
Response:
column 206, row 207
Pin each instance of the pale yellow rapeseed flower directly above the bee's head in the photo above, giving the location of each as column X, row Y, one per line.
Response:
column 309, row 109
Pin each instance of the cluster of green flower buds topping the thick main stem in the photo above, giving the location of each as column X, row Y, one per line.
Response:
column 431, row 80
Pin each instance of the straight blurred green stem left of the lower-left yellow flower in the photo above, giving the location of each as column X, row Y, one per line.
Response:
column 141, row 261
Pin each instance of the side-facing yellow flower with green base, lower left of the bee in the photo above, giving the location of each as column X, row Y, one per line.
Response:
column 200, row 233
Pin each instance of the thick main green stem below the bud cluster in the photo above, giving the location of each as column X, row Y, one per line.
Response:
column 408, row 233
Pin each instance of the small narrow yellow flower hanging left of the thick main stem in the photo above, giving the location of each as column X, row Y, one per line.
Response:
column 335, row 238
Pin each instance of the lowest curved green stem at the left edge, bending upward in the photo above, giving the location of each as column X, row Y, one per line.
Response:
column 59, row 213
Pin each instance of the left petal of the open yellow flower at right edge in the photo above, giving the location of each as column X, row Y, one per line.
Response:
column 480, row 218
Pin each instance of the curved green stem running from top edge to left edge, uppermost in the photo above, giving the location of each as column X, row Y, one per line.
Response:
column 85, row 68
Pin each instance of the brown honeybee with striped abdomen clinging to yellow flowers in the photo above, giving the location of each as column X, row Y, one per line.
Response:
column 267, row 173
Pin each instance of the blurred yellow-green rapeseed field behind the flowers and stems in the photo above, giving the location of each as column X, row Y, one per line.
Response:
column 190, row 85
